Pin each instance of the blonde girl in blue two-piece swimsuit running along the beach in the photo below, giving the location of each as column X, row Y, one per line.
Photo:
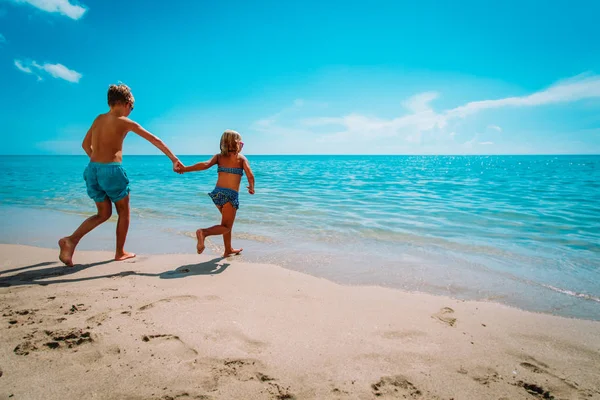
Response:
column 232, row 166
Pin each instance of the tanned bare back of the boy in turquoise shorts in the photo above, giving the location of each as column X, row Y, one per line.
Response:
column 107, row 134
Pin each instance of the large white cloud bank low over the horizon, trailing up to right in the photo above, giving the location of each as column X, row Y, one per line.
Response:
column 419, row 127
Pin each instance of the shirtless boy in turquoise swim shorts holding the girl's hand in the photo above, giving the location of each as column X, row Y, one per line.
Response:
column 104, row 176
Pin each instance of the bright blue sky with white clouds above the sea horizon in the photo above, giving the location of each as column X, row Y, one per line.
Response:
column 311, row 77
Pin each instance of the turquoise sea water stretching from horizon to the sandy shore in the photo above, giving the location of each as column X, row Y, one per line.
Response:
column 523, row 230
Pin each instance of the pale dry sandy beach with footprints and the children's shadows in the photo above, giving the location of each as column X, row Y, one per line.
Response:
column 195, row 327
